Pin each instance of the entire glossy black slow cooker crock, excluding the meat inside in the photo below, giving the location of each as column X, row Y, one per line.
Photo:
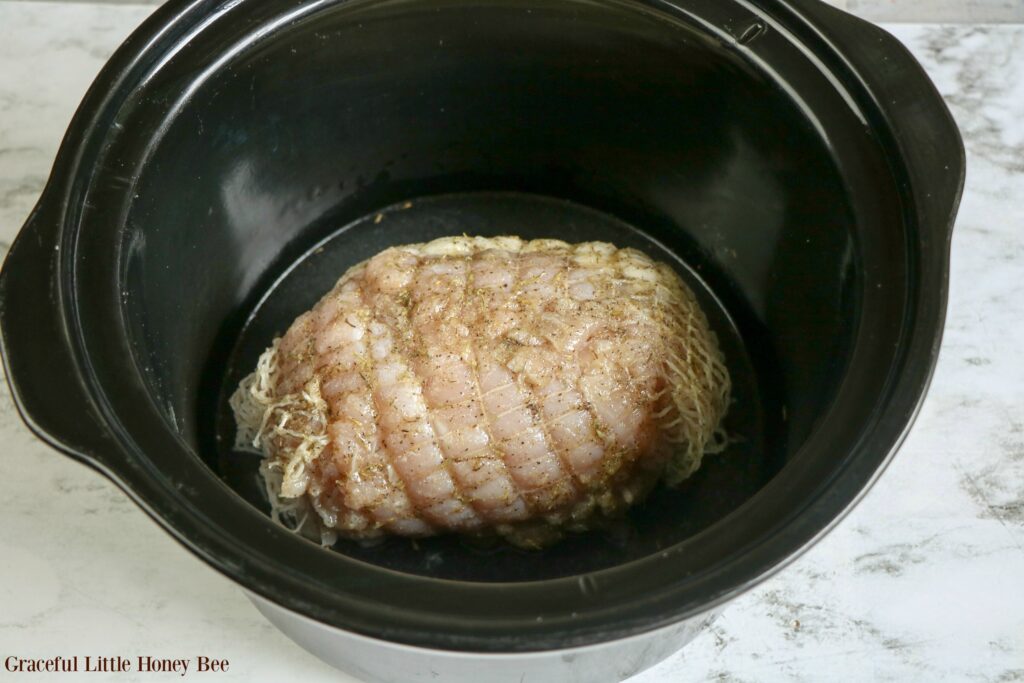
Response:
column 793, row 162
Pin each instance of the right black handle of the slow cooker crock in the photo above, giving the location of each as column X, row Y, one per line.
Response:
column 925, row 131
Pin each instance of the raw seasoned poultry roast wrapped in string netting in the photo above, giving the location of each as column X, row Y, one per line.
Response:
column 488, row 387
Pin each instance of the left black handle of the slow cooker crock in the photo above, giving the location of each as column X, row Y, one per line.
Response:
column 45, row 380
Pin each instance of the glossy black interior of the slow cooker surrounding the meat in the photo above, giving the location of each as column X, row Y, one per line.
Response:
column 570, row 120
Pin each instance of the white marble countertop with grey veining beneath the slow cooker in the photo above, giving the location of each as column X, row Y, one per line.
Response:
column 922, row 582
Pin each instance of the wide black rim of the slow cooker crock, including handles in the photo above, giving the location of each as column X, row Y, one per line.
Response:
column 470, row 617
